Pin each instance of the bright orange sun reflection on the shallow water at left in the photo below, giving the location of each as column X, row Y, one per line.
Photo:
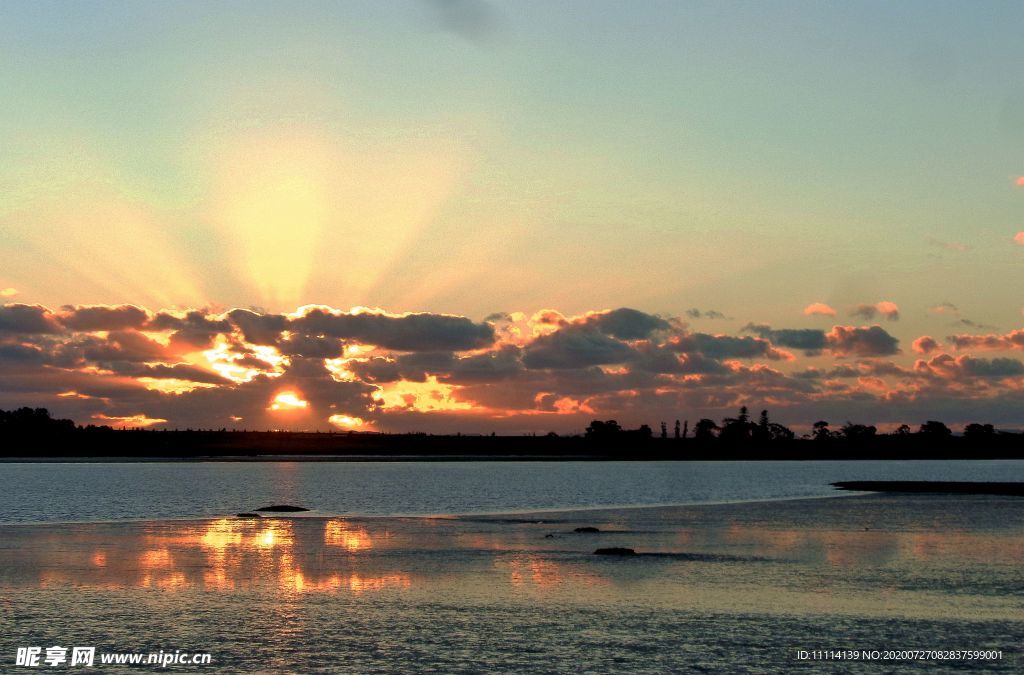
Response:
column 305, row 557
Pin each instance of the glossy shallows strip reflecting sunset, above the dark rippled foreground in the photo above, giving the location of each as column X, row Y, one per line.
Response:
column 814, row 558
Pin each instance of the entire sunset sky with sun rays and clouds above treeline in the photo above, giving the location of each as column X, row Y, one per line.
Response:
column 484, row 217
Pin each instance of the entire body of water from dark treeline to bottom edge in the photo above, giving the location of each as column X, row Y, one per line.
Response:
column 493, row 568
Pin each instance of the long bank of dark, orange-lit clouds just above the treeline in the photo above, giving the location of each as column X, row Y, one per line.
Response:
column 402, row 372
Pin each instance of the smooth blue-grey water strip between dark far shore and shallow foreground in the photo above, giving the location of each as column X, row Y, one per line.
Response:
column 86, row 492
